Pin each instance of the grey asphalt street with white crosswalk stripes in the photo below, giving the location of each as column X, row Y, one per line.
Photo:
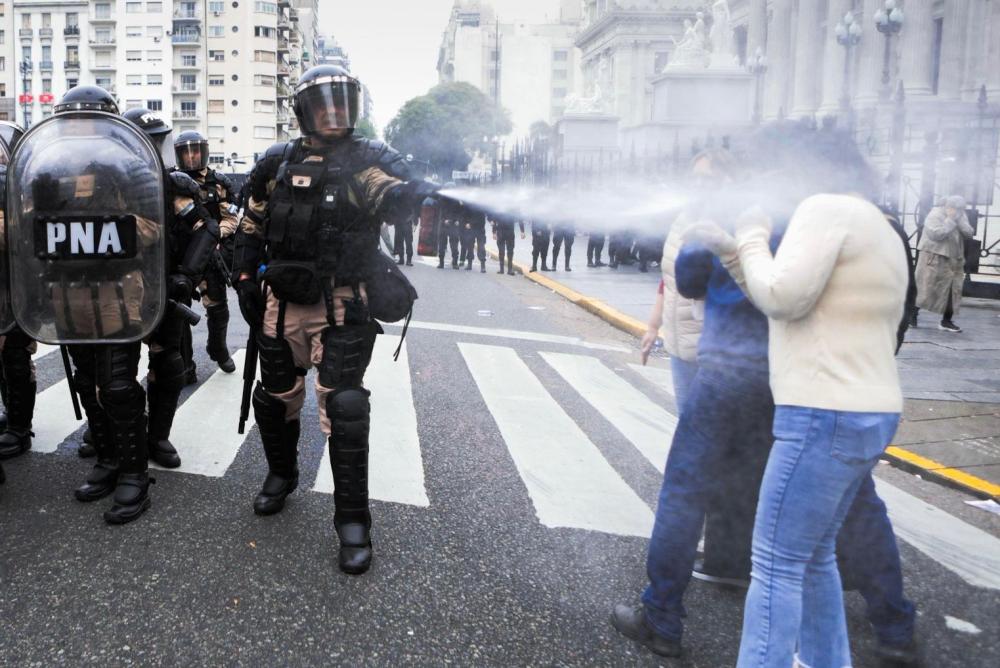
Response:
column 512, row 502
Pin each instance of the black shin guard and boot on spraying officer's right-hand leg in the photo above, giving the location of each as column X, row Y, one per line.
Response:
column 349, row 421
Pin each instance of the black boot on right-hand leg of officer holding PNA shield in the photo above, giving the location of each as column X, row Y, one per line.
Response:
column 131, row 498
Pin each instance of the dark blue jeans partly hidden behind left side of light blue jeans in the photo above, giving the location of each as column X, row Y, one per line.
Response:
column 720, row 445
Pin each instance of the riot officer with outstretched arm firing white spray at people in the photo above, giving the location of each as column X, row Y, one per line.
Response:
column 313, row 218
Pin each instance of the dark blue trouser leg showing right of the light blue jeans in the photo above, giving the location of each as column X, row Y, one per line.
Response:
column 868, row 560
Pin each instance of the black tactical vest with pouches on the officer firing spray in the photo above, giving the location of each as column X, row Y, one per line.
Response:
column 317, row 236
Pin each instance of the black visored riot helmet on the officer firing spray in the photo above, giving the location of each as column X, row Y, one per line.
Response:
column 327, row 98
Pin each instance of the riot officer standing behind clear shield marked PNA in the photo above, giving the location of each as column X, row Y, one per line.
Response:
column 95, row 279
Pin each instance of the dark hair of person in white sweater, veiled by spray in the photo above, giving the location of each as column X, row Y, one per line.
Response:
column 807, row 160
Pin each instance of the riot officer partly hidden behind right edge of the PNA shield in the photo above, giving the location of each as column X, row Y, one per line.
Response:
column 192, row 231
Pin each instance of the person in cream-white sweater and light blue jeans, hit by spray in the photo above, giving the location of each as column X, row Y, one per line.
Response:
column 834, row 294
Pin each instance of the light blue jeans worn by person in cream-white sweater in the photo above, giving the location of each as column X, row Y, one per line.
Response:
column 818, row 463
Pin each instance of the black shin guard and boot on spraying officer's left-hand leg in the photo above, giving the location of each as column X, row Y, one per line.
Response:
column 280, row 440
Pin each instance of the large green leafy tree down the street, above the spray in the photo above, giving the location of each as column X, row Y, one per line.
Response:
column 446, row 125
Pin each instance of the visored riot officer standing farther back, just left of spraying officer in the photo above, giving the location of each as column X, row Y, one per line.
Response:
column 219, row 199
